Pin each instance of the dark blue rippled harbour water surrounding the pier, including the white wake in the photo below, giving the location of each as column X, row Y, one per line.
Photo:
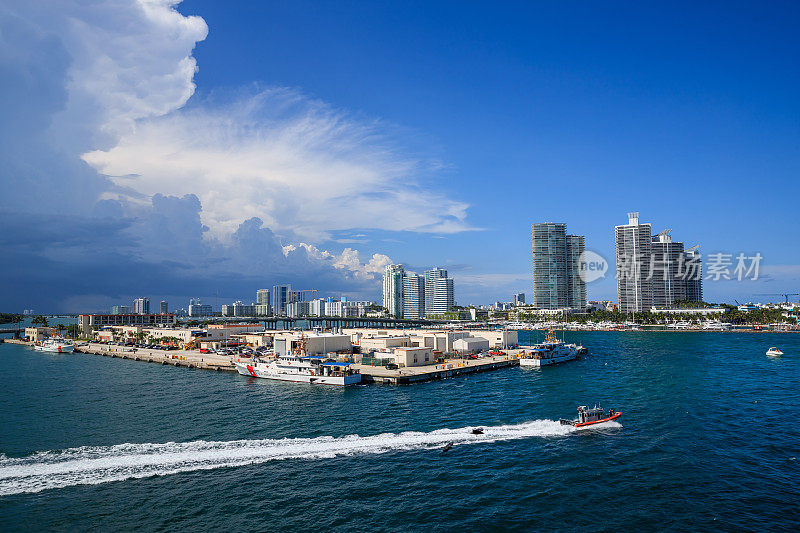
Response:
column 707, row 440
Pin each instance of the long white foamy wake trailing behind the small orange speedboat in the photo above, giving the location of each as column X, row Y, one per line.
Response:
column 102, row 464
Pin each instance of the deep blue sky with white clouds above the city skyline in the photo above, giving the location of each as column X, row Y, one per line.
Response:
column 496, row 116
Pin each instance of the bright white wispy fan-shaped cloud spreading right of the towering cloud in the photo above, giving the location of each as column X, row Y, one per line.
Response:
column 303, row 167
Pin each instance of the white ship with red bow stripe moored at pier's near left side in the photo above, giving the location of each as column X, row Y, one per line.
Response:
column 315, row 369
